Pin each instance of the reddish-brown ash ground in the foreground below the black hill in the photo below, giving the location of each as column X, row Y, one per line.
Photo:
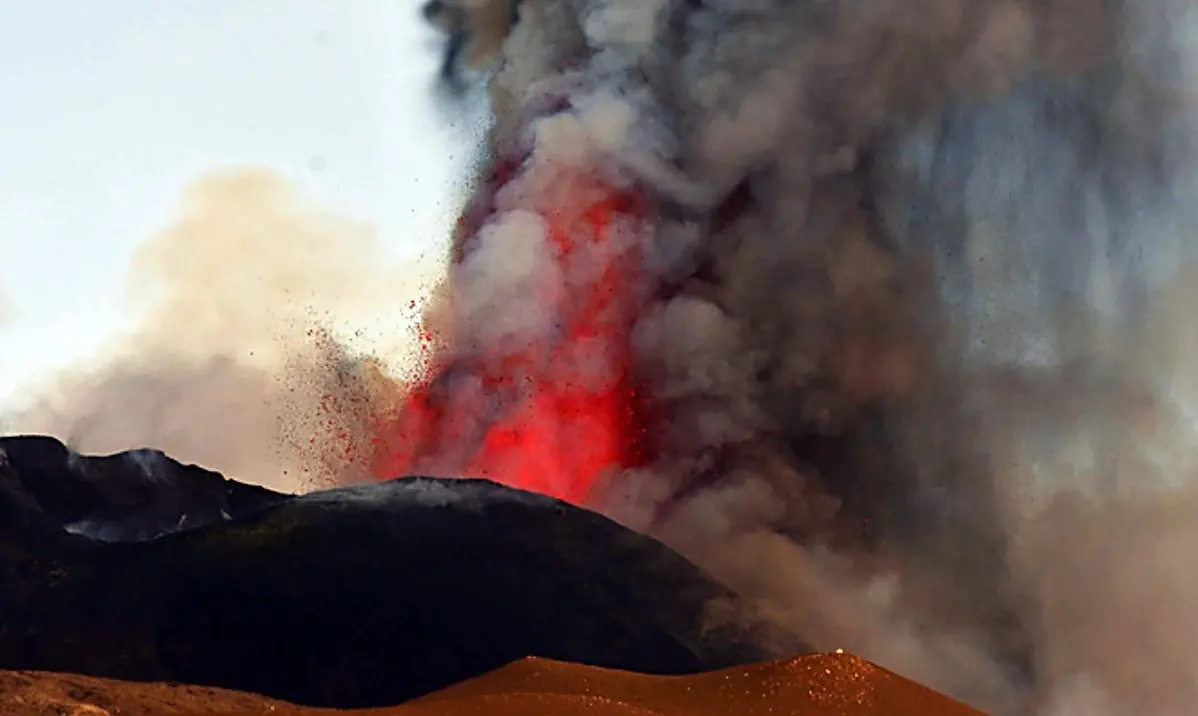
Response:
column 821, row 685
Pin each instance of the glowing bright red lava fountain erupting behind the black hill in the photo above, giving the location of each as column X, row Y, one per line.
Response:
column 539, row 420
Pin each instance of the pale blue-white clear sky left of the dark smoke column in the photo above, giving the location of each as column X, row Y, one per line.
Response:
column 112, row 108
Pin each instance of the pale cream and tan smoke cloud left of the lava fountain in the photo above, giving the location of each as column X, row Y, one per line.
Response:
column 265, row 336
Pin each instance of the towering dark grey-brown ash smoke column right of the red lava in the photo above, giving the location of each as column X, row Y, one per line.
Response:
column 919, row 317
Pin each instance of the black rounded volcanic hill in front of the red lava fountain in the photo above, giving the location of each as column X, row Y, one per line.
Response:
column 362, row 597
